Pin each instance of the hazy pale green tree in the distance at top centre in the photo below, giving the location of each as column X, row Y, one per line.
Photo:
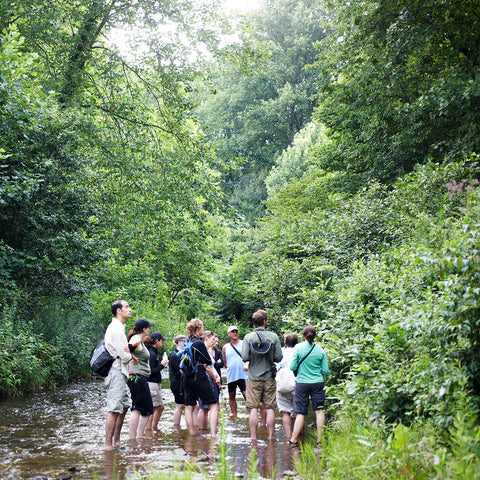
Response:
column 257, row 103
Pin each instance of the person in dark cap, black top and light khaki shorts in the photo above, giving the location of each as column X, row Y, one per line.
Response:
column 154, row 342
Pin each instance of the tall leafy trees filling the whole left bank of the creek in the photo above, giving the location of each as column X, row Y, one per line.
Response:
column 105, row 183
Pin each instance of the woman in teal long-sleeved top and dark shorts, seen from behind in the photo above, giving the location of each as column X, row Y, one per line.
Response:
column 310, row 362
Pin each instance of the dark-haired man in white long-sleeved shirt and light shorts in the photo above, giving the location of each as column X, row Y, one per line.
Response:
column 118, row 394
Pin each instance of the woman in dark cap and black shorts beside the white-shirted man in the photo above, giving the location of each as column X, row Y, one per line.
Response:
column 142, row 406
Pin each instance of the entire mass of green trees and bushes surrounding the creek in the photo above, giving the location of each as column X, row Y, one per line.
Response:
column 320, row 162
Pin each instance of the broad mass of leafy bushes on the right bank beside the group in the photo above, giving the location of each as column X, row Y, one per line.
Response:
column 399, row 319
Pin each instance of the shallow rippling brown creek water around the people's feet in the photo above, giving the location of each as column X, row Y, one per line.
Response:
column 61, row 433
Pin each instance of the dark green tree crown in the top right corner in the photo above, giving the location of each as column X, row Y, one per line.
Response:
column 398, row 85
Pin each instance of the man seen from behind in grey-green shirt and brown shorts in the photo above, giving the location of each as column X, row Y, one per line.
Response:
column 262, row 349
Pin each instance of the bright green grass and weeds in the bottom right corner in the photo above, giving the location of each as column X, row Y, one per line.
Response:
column 358, row 447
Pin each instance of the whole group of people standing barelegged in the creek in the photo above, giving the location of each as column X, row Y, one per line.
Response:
column 134, row 380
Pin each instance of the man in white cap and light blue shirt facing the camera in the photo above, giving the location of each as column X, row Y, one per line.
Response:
column 233, row 362
